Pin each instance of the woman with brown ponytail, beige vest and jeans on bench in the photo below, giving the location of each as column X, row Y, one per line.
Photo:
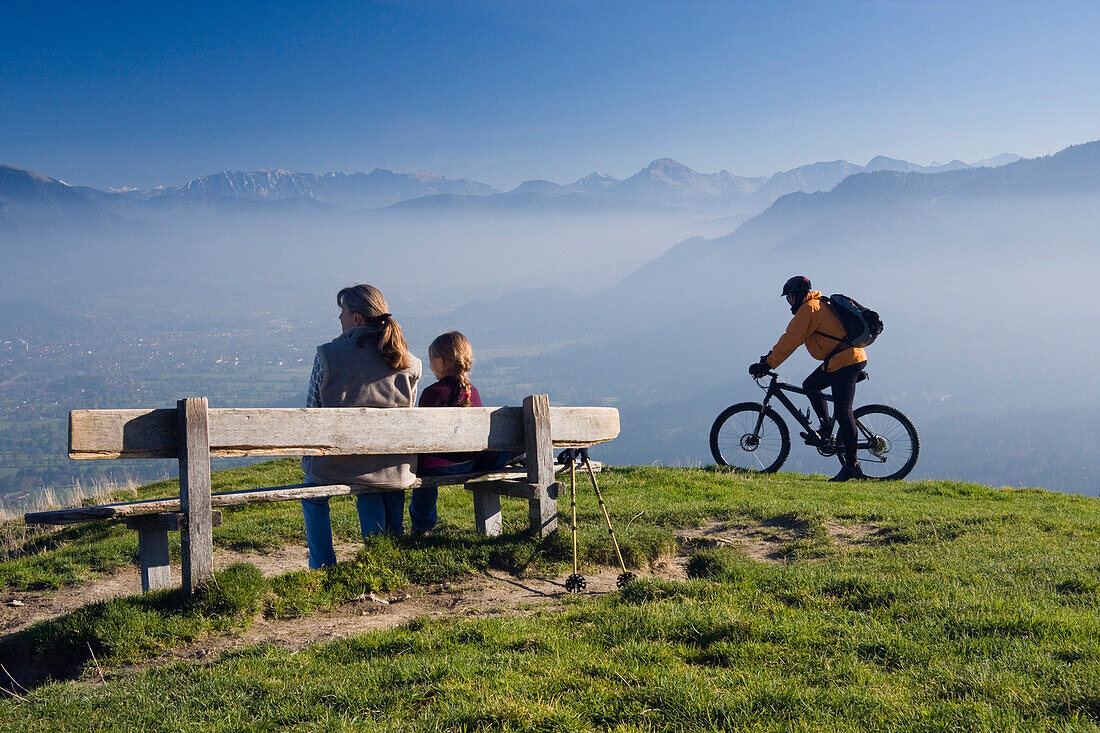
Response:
column 368, row 366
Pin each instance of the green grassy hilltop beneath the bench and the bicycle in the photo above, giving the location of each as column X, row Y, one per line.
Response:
column 802, row 606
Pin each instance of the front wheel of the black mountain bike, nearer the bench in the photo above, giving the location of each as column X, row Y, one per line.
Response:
column 751, row 437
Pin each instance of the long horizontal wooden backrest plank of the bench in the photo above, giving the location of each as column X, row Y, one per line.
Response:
column 331, row 431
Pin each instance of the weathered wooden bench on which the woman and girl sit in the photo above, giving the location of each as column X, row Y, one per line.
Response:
column 193, row 433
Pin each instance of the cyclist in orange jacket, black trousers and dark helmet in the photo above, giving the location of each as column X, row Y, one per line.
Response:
column 842, row 366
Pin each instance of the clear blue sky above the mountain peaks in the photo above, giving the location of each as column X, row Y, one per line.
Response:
column 142, row 94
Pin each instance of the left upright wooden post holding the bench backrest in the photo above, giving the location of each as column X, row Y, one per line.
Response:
column 197, row 538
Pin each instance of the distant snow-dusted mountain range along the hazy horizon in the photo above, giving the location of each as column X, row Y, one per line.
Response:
column 663, row 184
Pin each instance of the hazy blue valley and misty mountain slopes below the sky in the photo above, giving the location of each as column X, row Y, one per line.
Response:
column 652, row 294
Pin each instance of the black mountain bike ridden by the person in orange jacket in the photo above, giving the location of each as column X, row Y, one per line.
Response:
column 752, row 436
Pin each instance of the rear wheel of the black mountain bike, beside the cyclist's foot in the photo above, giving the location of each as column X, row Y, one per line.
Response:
column 888, row 443
